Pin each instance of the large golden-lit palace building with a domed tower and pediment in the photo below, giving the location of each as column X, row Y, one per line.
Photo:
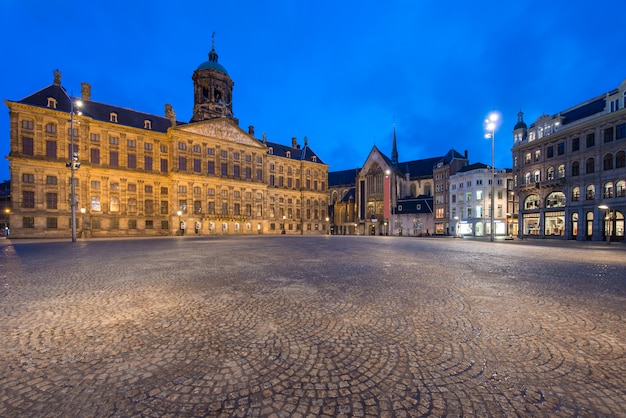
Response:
column 139, row 174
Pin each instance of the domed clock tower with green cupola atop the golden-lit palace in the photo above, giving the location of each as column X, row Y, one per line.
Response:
column 213, row 89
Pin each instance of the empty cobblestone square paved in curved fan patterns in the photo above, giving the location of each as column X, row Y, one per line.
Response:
column 288, row 326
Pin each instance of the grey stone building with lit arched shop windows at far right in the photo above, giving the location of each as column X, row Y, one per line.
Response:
column 570, row 171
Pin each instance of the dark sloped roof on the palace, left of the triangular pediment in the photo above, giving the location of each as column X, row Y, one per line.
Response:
column 96, row 110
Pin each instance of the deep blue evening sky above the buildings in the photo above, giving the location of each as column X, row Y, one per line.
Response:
column 339, row 72
